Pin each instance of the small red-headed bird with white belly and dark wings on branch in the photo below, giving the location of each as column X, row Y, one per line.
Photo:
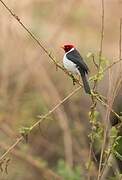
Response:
column 75, row 64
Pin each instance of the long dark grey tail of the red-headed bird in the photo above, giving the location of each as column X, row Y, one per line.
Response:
column 85, row 82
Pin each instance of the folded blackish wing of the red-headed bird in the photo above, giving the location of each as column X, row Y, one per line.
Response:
column 76, row 58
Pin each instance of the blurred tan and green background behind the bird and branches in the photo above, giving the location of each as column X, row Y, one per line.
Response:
column 31, row 86
